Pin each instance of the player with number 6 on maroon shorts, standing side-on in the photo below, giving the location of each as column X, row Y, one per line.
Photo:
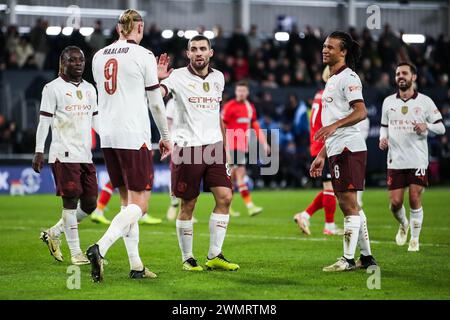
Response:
column 343, row 107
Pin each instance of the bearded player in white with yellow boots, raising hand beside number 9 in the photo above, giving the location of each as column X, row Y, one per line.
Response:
column 198, row 130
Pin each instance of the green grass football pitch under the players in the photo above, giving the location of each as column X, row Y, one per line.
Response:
column 277, row 262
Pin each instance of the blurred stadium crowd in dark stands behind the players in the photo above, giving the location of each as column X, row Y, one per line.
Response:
column 265, row 63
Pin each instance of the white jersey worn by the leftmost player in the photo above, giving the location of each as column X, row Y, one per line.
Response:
column 72, row 107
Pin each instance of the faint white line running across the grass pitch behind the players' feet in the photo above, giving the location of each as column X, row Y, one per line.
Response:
column 248, row 236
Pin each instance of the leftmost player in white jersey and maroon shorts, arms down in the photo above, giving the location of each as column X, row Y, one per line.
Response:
column 69, row 107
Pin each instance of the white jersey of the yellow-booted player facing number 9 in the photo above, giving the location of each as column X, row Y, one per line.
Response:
column 196, row 116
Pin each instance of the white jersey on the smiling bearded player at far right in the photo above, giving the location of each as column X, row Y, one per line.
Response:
column 407, row 149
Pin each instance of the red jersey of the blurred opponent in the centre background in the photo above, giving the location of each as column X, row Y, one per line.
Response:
column 238, row 118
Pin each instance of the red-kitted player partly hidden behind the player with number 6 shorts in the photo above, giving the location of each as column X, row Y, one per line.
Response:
column 325, row 198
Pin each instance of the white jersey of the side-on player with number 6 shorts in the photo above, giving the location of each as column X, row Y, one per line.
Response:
column 342, row 90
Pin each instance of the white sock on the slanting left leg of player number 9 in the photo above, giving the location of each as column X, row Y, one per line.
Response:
column 119, row 225
